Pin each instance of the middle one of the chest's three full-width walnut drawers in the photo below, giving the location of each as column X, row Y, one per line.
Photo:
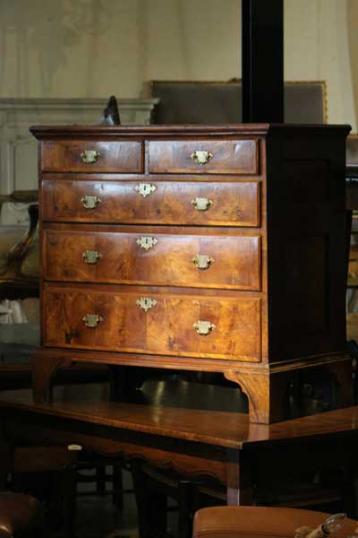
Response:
column 157, row 258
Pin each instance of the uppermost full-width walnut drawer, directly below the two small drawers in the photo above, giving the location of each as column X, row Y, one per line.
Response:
column 152, row 202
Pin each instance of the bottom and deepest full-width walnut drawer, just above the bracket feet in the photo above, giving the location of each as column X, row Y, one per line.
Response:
column 153, row 321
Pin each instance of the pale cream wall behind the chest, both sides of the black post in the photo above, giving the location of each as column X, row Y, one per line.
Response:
column 92, row 48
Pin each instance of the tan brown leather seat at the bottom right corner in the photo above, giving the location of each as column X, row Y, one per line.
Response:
column 260, row 522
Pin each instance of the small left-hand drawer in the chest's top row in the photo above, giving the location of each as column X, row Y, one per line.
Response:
column 87, row 156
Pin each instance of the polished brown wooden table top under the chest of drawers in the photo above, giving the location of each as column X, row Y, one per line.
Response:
column 220, row 428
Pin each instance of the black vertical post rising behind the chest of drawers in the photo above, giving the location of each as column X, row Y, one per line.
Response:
column 262, row 61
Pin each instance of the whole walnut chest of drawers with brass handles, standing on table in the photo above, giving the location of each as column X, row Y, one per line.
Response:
column 195, row 247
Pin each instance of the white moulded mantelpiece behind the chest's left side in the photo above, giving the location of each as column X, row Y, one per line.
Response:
column 18, row 153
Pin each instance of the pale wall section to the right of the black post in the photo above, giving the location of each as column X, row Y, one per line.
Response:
column 317, row 48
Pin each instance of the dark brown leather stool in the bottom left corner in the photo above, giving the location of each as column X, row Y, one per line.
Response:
column 20, row 516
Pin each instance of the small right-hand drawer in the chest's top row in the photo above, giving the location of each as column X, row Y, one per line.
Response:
column 203, row 157
